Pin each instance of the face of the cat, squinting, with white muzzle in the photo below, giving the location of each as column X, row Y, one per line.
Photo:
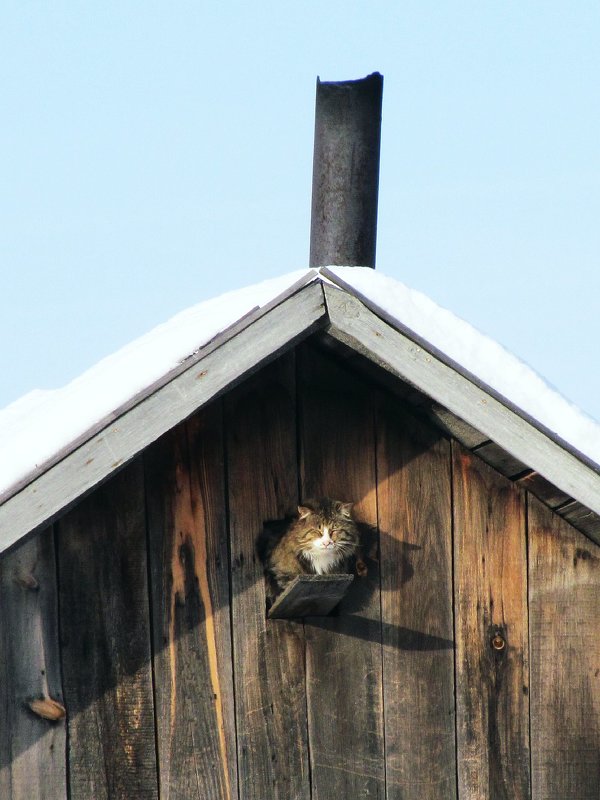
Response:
column 327, row 530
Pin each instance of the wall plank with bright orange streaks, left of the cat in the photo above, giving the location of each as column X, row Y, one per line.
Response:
column 189, row 569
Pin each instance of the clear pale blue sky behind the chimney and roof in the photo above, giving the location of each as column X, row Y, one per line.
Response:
column 155, row 154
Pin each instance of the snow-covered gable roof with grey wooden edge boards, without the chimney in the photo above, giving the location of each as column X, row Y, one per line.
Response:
column 59, row 445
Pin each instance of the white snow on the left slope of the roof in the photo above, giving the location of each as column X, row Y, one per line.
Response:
column 35, row 427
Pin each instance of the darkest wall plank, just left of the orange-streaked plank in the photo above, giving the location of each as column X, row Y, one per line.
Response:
column 104, row 623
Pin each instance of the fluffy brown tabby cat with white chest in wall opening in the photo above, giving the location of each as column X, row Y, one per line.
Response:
column 323, row 538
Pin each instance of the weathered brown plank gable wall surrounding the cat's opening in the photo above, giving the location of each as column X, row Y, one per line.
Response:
column 142, row 613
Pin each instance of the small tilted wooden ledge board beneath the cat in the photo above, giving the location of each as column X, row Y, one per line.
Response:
column 310, row 595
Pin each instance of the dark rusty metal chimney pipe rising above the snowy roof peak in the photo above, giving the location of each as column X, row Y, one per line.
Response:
column 346, row 172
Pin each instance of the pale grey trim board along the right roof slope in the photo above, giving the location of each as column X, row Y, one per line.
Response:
column 360, row 328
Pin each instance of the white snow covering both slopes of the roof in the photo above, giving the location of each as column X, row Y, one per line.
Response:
column 34, row 428
